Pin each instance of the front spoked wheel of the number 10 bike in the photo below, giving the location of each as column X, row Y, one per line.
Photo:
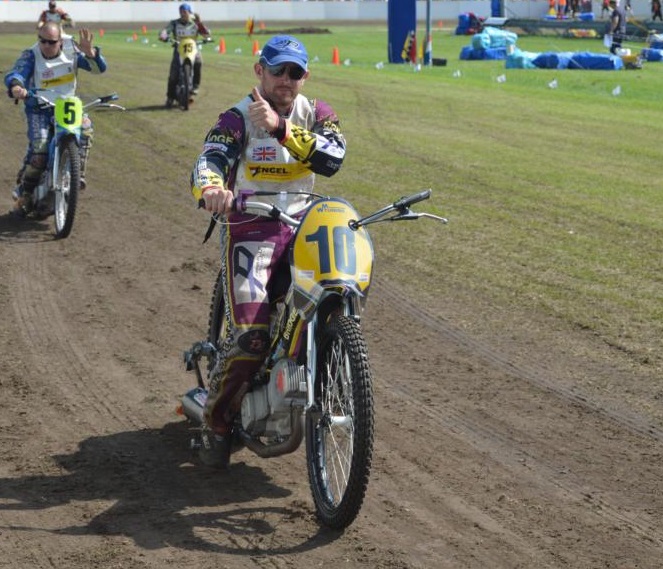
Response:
column 339, row 427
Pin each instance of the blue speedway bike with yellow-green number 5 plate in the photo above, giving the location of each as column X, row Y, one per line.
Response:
column 60, row 184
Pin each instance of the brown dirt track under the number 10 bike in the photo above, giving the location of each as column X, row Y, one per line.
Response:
column 491, row 450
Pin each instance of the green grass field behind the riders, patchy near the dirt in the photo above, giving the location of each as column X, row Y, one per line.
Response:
column 553, row 195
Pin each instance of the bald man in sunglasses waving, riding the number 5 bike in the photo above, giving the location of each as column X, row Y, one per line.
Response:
column 50, row 64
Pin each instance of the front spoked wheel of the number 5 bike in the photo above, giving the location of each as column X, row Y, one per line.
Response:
column 67, row 185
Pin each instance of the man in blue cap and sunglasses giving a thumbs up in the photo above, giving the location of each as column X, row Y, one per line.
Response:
column 274, row 139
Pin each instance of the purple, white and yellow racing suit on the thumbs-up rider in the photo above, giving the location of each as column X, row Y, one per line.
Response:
column 254, row 249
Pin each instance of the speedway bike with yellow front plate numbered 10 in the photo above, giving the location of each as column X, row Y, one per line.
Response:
column 315, row 384
